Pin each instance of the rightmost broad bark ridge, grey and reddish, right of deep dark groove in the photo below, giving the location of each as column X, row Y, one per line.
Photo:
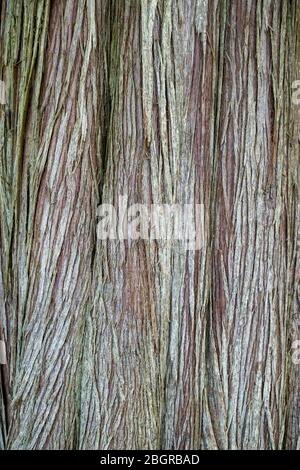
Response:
column 251, row 312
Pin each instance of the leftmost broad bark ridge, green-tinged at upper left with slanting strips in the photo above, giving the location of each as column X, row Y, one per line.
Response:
column 54, row 164
